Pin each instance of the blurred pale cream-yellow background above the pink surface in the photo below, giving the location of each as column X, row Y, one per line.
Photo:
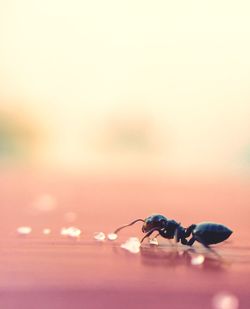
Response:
column 126, row 88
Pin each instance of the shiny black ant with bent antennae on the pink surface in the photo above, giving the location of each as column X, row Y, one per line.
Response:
column 206, row 233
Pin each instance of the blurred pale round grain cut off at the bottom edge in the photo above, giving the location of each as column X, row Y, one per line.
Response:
column 225, row 300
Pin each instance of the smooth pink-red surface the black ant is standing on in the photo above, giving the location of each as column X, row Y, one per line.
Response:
column 50, row 271
